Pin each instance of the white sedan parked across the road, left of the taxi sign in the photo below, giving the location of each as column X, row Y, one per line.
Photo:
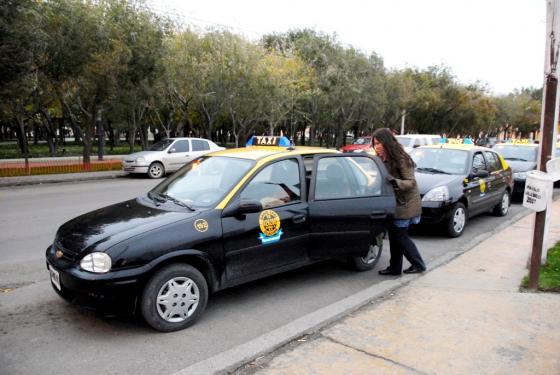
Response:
column 168, row 155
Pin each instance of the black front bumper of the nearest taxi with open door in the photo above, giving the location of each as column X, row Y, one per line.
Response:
column 113, row 292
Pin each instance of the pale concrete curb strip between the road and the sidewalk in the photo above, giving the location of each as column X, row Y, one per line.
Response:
column 235, row 358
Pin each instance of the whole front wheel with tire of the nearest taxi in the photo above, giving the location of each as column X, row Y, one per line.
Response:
column 174, row 298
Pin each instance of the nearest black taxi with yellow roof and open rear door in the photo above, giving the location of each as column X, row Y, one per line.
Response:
column 226, row 218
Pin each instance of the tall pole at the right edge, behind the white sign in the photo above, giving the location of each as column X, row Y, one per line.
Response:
column 550, row 105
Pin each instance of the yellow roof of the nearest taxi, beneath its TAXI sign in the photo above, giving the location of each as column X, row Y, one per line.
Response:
column 270, row 152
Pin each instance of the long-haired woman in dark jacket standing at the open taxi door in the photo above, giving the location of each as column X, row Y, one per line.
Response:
column 409, row 207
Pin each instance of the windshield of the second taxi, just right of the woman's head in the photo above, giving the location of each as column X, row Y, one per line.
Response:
column 440, row 160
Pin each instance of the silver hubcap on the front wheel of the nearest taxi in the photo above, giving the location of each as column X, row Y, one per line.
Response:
column 177, row 299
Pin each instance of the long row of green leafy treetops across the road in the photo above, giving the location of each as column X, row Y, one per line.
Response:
column 117, row 65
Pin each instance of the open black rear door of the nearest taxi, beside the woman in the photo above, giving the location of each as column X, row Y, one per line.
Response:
column 350, row 204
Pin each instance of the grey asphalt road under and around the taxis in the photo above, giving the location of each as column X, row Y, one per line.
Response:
column 42, row 334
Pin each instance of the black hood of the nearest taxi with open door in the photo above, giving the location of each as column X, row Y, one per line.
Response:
column 110, row 225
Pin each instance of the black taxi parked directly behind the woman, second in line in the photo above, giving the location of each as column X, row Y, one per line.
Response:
column 458, row 181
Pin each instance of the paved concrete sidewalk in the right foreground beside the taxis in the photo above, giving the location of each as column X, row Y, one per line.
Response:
column 466, row 317
